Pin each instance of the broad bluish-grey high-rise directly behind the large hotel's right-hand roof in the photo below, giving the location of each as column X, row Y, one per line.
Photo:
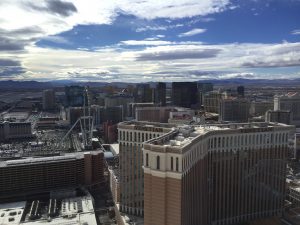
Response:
column 235, row 110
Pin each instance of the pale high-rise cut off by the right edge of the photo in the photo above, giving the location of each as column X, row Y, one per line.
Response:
column 291, row 102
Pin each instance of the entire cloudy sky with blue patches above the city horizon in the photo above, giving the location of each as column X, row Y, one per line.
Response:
column 149, row 40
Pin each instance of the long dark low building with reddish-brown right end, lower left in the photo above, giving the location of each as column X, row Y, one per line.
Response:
column 22, row 177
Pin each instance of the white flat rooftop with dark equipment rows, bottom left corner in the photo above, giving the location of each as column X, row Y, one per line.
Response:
column 67, row 211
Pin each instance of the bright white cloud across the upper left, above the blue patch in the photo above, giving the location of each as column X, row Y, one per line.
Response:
column 36, row 20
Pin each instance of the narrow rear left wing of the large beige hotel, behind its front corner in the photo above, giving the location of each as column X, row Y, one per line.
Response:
column 131, row 137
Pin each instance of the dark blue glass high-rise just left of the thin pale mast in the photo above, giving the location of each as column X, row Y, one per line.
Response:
column 74, row 96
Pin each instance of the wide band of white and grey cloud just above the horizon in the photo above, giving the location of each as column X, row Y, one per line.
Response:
column 163, row 62
